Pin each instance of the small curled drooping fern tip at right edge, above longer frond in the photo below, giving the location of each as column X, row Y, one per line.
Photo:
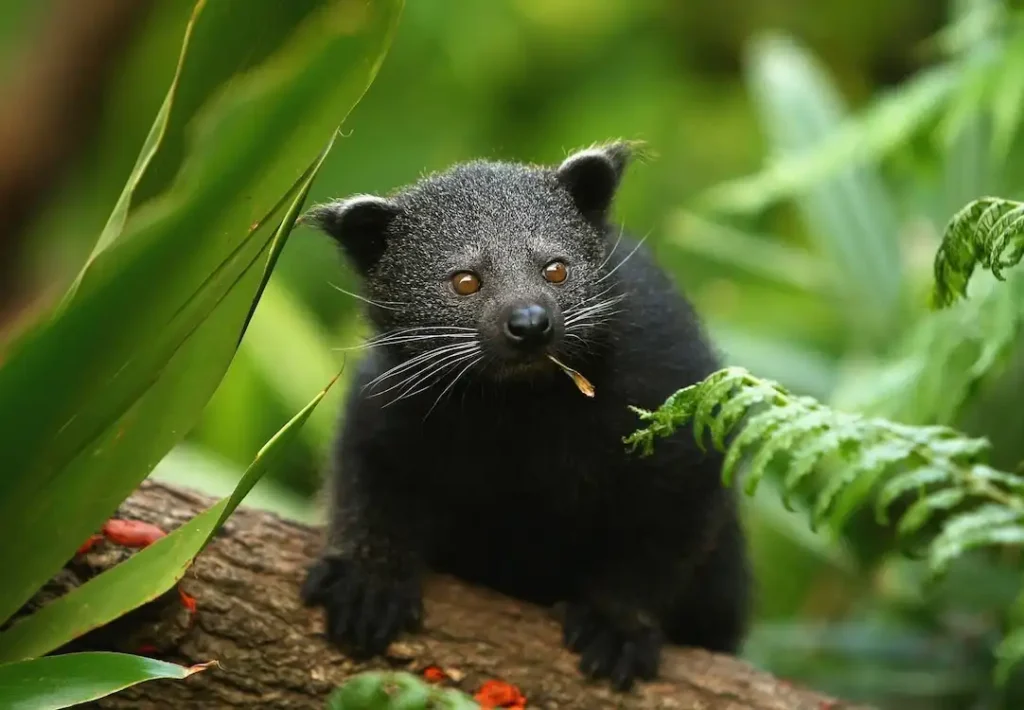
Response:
column 989, row 233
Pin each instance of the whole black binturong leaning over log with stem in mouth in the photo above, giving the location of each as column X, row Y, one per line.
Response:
column 464, row 449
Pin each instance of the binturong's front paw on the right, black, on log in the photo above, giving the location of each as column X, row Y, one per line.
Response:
column 613, row 650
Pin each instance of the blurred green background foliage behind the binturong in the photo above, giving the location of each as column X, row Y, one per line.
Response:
column 808, row 156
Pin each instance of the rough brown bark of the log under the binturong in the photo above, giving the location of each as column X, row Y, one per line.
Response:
column 272, row 655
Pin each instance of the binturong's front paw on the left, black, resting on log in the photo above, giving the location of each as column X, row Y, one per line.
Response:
column 365, row 611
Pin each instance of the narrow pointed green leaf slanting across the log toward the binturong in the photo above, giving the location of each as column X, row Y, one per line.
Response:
column 149, row 573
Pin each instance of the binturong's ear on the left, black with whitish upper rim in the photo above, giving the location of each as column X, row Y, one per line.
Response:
column 358, row 224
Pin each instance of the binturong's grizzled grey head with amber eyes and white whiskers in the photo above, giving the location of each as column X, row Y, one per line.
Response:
column 495, row 265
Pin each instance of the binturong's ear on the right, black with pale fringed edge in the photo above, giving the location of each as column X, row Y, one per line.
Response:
column 592, row 177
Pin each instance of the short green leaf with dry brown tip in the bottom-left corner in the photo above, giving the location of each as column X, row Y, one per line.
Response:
column 63, row 682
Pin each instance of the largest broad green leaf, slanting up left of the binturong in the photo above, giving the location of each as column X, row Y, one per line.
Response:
column 127, row 366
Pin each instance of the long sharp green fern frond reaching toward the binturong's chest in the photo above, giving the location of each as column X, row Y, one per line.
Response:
column 938, row 476
